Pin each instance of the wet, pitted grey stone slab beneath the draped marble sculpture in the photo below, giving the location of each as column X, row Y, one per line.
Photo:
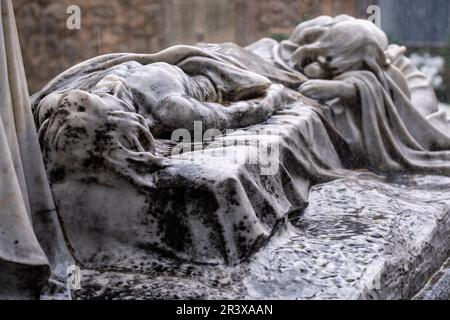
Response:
column 360, row 238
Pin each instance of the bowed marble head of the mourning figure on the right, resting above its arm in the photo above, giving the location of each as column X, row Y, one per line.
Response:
column 326, row 47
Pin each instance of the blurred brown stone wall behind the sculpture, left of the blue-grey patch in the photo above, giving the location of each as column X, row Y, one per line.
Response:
column 49, row 47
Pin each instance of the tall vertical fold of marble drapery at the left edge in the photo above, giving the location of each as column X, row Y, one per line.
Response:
column 31, row 242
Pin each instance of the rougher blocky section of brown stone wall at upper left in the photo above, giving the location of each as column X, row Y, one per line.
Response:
column 49, row 47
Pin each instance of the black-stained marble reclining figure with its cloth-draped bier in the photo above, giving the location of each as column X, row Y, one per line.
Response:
column 119, row 209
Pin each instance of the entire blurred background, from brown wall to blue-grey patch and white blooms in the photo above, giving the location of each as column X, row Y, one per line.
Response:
column 49, row 47
